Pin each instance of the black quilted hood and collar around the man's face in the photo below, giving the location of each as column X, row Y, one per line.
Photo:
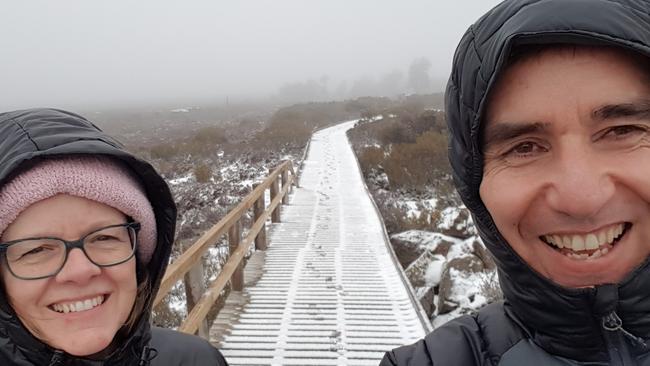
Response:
column 564, row 321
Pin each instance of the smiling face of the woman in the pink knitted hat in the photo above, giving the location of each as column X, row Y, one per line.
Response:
column 84, row 332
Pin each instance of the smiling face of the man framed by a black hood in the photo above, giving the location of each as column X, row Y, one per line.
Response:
column 567, row 164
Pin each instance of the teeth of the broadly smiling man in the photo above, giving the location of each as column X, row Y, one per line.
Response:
column 598, row 241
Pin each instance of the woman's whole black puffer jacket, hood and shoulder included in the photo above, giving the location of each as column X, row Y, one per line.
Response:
column 29, row 135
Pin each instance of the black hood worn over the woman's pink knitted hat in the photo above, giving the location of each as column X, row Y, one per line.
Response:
column 31, row 135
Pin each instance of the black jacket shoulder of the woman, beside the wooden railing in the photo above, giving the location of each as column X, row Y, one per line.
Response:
column 179, row 349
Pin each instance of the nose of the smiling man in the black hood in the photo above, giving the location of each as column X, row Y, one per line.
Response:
column 580, row 184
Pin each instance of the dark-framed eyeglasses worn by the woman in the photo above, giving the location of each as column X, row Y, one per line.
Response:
column 36, row 258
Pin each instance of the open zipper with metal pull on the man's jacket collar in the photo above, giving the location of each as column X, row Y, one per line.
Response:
column 617, row 347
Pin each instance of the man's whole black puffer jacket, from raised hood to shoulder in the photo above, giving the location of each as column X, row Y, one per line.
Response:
column 540, row 323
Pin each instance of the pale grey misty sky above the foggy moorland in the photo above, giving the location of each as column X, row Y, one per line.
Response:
column 89, row 52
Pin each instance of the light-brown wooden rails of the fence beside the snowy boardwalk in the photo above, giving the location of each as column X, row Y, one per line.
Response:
column 192, row 256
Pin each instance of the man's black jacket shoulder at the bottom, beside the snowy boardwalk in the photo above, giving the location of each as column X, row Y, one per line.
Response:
column 457, row 343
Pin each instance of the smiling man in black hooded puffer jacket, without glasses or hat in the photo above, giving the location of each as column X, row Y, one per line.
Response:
column 548, row 107
